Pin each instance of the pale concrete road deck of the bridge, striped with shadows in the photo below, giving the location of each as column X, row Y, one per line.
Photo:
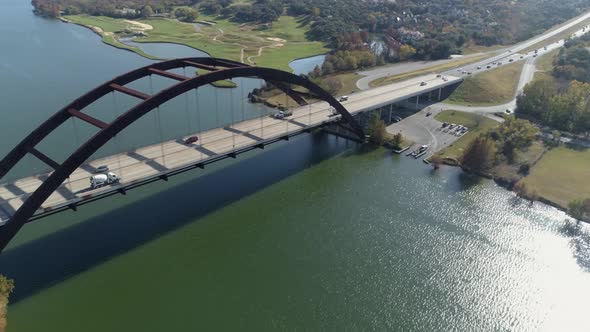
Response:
column 154, row 160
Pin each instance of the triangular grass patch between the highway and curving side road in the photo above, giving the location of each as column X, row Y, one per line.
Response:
column 493, row 87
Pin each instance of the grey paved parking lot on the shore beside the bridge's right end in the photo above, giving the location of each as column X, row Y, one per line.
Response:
column 422, row 129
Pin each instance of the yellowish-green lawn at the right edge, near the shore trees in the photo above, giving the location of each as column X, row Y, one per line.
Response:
column 561, row 176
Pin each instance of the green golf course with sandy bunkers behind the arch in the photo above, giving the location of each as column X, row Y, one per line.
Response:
column 252, row 44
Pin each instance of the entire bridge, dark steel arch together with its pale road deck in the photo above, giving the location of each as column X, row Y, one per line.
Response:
column 67, row 185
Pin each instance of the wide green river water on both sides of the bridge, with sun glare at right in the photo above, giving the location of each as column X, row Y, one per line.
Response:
column 314, row 234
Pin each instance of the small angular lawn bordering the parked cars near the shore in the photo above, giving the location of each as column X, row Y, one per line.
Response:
column 476, row 123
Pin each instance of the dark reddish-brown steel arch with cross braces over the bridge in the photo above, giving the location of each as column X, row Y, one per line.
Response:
column 219, row 69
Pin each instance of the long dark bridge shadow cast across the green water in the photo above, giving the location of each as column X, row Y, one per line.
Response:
column 47, row 261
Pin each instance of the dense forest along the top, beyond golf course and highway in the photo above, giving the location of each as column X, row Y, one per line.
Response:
column 429, row 29
